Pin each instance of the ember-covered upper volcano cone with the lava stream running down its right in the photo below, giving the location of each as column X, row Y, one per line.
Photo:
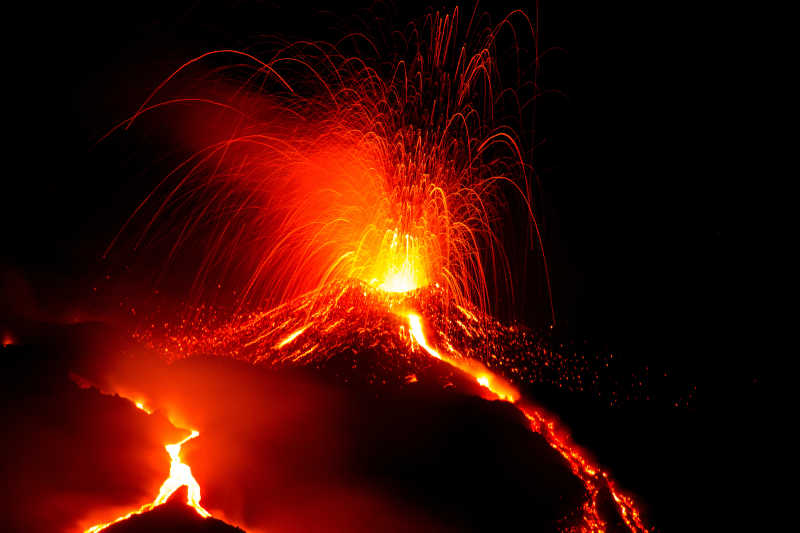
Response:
column 361, row 335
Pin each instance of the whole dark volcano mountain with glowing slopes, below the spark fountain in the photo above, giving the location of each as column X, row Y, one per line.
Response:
column 348, row 409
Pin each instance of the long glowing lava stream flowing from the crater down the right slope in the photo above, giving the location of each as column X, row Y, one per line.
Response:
column 591, row 475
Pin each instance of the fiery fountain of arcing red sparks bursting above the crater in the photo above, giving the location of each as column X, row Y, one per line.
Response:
column 389, row 167
